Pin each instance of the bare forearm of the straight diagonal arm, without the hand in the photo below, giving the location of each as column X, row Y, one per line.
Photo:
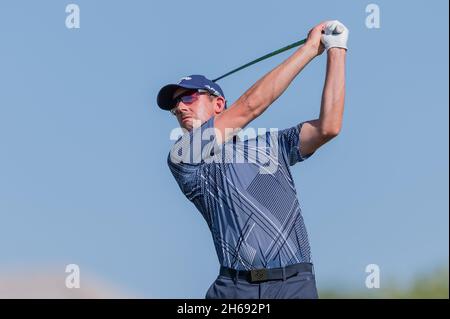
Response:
column 267, row 89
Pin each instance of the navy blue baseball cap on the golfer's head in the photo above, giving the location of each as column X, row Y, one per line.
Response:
column 165, row 95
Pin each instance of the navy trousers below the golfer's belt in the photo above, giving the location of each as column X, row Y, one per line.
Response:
column 300, row 286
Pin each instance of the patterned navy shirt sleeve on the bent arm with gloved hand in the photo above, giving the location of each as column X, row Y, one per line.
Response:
column 289, row 143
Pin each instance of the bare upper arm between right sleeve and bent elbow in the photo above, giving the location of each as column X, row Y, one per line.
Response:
column 312, row 137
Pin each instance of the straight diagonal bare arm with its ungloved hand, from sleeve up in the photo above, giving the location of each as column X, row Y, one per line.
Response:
column 267, row 89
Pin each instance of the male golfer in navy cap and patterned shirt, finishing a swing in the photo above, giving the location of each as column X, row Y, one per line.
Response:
column 250, row 205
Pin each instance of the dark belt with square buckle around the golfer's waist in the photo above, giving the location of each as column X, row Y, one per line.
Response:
column 259, row 275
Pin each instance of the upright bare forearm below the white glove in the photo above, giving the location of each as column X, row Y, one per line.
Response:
column 333, row 96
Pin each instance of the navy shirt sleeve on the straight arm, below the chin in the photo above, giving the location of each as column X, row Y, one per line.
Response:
column 187, row 155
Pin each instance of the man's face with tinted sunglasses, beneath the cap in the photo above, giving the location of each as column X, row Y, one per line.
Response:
column 197, row 112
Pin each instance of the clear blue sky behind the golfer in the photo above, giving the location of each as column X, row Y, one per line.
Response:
column 83, row 145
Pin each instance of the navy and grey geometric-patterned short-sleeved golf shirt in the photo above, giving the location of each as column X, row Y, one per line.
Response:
column 245, row 192
